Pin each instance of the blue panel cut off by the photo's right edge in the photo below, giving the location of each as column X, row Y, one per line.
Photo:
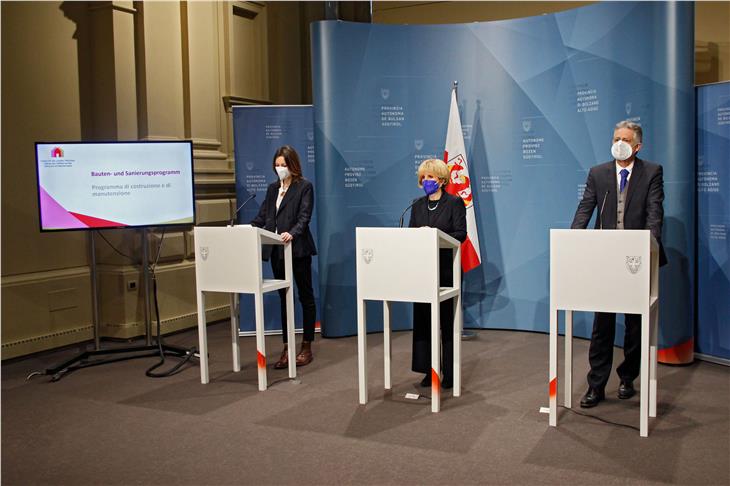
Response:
column 713, row 220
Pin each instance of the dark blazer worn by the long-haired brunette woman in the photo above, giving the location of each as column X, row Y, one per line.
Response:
column 295, row 212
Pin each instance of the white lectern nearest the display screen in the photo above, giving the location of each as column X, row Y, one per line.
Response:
column 228, row 259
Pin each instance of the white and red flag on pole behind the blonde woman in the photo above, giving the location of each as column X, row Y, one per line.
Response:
column 460, row 184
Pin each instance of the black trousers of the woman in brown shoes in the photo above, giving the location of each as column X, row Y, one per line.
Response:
column 302, row 269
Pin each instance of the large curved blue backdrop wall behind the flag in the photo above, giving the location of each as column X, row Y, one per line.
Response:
column 539, row 98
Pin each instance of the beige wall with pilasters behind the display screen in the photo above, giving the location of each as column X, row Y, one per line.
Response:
column 117, row 70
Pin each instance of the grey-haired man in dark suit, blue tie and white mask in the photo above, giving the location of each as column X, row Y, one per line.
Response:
column 627, row 193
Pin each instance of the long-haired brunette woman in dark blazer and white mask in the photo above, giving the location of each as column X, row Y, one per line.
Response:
column 287, row 211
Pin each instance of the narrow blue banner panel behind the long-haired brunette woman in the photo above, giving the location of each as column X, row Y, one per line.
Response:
column 257, row 132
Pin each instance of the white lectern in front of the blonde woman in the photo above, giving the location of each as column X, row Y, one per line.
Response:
column 402, row 264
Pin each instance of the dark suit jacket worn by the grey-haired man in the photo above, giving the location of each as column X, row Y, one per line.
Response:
column 644, row 200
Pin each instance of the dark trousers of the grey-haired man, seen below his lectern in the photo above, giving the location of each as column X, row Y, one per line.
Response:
column 600, row 353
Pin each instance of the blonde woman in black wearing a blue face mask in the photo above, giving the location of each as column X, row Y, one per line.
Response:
column 437, row 209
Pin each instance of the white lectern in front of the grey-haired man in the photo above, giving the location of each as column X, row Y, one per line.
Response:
column 605, row 271
